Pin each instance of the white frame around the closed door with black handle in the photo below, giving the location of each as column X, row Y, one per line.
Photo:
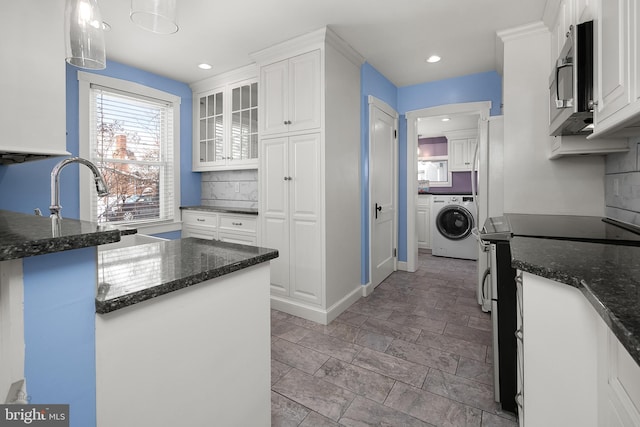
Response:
column 387, row 109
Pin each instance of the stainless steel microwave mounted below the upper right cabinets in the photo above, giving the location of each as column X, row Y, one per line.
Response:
column 571, row 84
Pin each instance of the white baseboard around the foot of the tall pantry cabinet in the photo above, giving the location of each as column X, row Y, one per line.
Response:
column 315, row 313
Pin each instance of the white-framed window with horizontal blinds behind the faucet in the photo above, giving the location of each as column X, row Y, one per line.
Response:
column 131, row 133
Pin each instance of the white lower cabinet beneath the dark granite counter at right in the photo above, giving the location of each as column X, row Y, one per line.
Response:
column 574, row 371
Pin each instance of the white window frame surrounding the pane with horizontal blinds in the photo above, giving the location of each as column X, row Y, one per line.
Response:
column 87, row 188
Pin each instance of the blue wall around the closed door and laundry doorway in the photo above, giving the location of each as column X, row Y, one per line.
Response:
column 472, row 88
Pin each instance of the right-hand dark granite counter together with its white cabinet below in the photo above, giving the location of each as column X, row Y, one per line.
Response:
column 579, row 332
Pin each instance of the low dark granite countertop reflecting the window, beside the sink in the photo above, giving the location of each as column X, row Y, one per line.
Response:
column 133, row 274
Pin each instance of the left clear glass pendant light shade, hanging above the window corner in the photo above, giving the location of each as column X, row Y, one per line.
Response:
column 84, row 35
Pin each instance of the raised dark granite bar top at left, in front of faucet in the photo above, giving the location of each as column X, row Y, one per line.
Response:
column 23, row 235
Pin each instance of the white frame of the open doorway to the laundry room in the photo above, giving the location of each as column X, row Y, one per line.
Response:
column 482, row 108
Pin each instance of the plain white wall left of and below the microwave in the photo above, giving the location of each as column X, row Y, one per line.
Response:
column 532, row 183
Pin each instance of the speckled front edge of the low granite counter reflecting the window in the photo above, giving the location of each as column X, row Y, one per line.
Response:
column 104, row 307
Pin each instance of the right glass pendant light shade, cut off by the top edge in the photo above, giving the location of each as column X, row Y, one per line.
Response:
column 157, row 16
